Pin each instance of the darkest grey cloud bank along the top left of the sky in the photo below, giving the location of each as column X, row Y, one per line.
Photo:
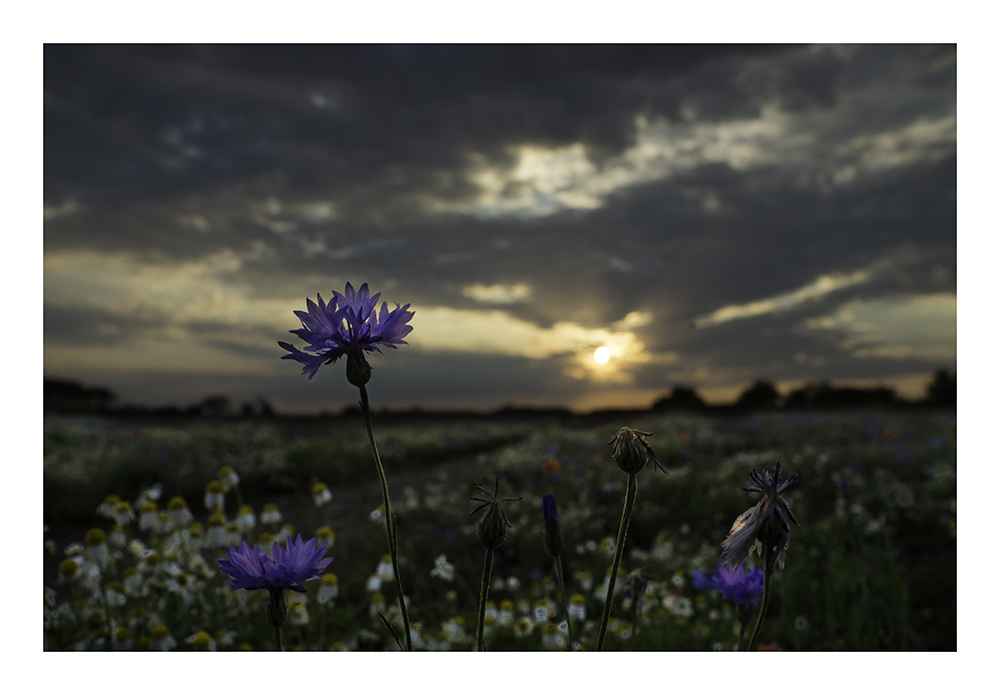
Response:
column 130, row 124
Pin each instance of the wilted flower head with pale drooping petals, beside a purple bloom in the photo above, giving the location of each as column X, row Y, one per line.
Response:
column 764, row 525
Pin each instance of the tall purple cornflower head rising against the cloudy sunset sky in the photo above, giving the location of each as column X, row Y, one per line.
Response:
column 348, row 325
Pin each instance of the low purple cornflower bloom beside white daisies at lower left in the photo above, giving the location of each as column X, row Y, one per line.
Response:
column 282, row 568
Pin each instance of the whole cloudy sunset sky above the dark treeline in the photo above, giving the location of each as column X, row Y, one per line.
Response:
column 710, row 215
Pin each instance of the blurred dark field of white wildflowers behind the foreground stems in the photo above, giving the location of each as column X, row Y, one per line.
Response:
column 872, row 566
